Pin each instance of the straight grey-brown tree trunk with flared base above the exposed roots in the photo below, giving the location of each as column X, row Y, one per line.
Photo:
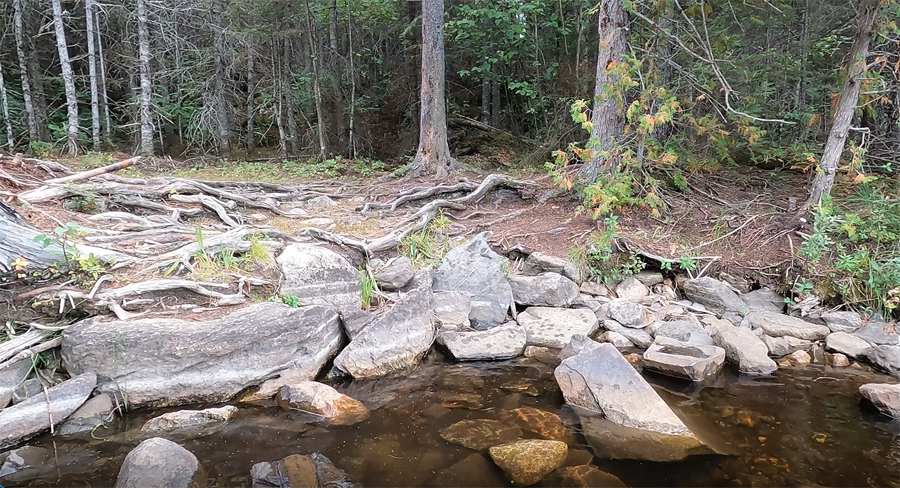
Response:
column 433, row 154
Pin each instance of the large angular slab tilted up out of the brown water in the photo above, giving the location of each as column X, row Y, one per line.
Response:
column 599, row 378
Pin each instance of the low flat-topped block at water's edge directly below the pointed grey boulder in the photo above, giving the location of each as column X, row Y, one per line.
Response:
column 503, row 342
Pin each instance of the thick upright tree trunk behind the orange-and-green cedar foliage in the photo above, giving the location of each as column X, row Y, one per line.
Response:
column 606, row 116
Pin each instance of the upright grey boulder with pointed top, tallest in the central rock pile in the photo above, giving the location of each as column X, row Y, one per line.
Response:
column 476, row 269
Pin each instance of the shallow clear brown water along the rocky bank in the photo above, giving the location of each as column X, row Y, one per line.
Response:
column 800, row 427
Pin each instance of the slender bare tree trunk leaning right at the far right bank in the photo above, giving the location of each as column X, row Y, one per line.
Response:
column 846, row 106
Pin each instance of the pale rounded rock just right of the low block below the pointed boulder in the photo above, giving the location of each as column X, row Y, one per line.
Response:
column 554, row 327
